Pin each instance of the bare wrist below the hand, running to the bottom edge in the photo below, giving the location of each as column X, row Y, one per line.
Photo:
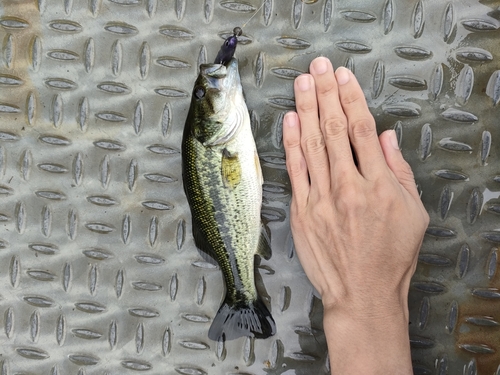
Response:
column 364, row 341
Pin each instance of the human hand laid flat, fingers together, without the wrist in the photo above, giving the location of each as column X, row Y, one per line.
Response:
column 357, row 226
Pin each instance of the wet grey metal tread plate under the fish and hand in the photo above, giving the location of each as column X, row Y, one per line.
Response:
column 98, row 270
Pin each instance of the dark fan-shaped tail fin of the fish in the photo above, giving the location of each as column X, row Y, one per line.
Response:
column 236, row 320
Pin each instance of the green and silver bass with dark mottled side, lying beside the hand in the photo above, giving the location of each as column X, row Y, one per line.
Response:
column 223, row 181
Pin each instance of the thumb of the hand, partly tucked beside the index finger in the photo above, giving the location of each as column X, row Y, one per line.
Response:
column 396, row 163
